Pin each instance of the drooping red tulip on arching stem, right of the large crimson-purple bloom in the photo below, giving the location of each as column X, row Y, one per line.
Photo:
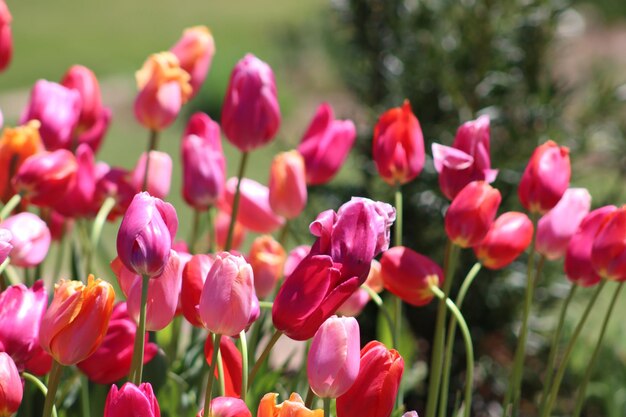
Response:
column 409, row 275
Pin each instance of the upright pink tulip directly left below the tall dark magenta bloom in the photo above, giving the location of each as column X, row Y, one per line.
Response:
column 203, row 162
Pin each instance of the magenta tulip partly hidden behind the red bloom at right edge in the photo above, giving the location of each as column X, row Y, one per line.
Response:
column 578, row 267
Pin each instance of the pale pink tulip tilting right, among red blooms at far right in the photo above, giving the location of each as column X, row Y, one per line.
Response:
column 557, row 226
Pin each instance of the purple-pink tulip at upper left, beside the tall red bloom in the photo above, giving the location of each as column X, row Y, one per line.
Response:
column 58, row 109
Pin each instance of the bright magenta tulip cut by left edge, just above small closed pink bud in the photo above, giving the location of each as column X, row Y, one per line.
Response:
column 21, row 309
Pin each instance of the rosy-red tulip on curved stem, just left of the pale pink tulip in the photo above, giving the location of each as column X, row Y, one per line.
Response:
column 509, row 236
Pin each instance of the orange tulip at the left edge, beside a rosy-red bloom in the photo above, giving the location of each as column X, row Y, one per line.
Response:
column 16, row 145
